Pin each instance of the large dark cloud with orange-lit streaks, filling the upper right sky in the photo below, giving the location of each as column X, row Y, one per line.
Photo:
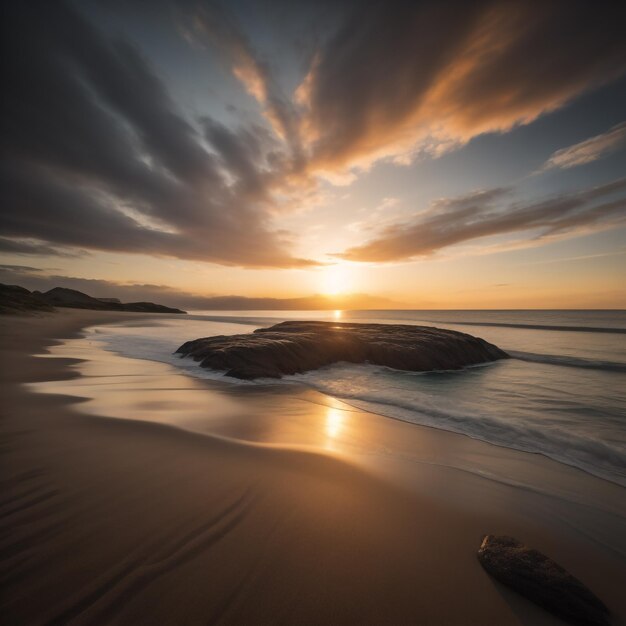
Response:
column 407, row 78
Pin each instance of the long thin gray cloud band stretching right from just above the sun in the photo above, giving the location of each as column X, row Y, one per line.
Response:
column 452, row 221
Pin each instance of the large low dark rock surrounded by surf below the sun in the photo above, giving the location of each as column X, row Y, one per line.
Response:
column 295, row 347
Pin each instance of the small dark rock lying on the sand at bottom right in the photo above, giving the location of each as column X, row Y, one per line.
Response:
column 540, row 579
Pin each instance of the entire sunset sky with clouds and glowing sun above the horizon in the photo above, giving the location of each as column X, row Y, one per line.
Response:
column 327, row 153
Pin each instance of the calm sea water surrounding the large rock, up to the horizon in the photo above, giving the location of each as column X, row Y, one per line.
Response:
column 563, row 394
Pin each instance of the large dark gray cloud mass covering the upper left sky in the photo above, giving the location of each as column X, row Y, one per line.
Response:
column 96, row 155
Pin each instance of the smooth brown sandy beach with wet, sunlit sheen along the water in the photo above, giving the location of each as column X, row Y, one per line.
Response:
column 277, row 514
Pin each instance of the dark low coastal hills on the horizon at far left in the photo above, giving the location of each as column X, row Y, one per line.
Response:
column 15, row 299
